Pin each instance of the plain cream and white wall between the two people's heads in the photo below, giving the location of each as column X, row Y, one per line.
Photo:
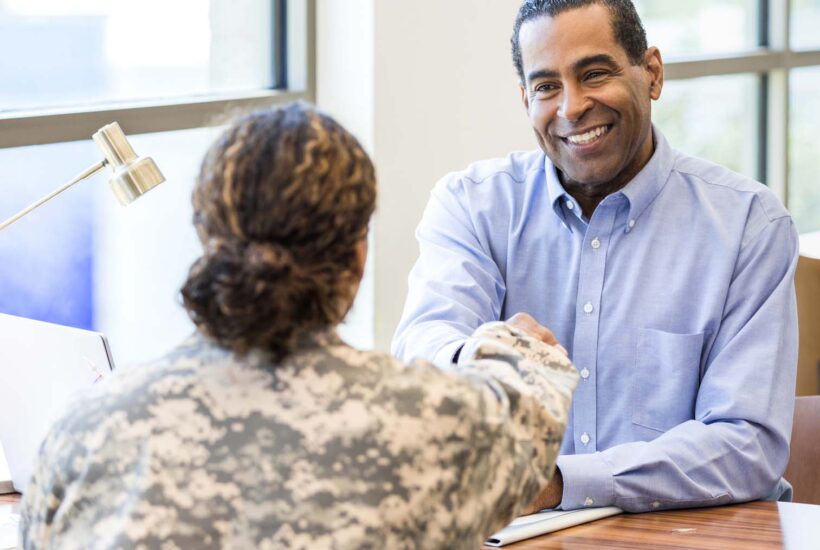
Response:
column 428, row 87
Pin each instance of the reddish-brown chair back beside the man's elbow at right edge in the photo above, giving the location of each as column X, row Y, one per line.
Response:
column 803, row 471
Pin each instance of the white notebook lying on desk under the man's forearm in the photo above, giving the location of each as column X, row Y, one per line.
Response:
column 527, row 527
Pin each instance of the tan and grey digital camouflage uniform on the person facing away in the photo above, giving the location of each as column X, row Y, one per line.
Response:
column 333, row 448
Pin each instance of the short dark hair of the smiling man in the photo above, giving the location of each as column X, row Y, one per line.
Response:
column 626, row 25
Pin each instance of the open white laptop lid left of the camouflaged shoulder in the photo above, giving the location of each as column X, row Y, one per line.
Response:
column 43, row 366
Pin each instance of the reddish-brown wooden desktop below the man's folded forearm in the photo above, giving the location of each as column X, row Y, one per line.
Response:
column 749, row 526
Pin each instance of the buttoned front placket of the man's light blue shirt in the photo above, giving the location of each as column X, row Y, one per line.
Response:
column 588, row 308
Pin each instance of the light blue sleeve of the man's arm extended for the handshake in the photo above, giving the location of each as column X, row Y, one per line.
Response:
column 455, row 285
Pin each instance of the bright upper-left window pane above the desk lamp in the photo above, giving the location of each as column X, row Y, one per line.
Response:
column 98, row 51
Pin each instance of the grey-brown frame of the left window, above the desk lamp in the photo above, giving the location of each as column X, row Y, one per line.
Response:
column 294, row 79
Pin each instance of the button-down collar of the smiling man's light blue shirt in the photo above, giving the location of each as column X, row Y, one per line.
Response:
column 640, row 192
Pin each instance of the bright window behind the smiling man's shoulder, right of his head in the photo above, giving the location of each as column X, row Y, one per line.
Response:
column 742, row 77
